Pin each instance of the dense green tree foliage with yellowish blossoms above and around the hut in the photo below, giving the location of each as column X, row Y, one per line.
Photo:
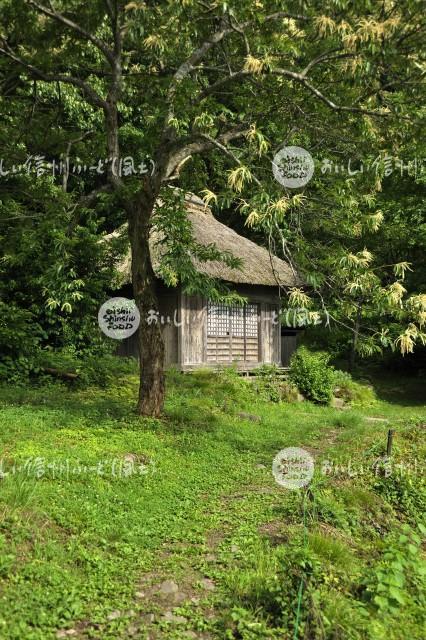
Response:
column 357, row 236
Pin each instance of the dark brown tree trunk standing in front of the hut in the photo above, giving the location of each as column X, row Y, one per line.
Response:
column 150, row 338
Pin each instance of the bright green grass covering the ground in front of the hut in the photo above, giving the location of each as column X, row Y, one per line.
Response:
column 200, row 502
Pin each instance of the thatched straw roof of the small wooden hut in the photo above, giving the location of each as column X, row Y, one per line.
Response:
column 258, row 266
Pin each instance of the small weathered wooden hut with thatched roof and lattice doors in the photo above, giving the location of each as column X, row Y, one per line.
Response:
column 198, row 332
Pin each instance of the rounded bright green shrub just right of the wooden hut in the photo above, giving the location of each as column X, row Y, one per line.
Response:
column 312, row 375
